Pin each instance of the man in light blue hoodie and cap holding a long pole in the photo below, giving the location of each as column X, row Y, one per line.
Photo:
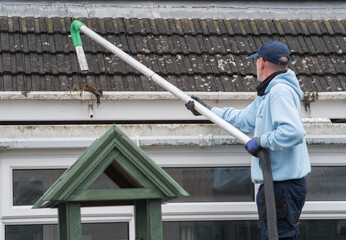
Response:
column 275, row 118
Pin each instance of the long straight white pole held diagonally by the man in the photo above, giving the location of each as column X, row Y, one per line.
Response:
column 165, row 84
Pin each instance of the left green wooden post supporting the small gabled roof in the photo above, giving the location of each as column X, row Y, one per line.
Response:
column 70, row 224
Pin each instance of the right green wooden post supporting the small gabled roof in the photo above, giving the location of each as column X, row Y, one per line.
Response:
column 148, row 217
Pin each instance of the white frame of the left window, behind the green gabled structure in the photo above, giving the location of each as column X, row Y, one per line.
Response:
column 47, row 159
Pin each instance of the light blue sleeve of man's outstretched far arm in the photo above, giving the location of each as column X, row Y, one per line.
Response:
column 244, row 119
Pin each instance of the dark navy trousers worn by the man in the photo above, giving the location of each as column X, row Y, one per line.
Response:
column 290, row 198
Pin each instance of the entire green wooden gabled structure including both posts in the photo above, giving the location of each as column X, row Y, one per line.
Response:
column 139, row 182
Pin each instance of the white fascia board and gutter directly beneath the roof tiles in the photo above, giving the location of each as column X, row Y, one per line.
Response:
column 138, row 106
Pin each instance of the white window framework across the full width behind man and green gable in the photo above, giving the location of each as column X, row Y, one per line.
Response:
column 178, row 156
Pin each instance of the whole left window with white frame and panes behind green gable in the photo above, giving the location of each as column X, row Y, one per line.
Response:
column 20, row 221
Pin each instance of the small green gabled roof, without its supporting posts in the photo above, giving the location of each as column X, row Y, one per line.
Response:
column 114, row 154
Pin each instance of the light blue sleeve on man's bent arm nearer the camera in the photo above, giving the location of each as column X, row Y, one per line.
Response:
column 285, row 116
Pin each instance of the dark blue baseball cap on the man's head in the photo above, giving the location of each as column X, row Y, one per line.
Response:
column 272, row 51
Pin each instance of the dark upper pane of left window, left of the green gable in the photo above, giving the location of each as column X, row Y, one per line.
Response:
column 30, row 184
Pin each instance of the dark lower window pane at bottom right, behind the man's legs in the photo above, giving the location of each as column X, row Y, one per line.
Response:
column 244, row 230
